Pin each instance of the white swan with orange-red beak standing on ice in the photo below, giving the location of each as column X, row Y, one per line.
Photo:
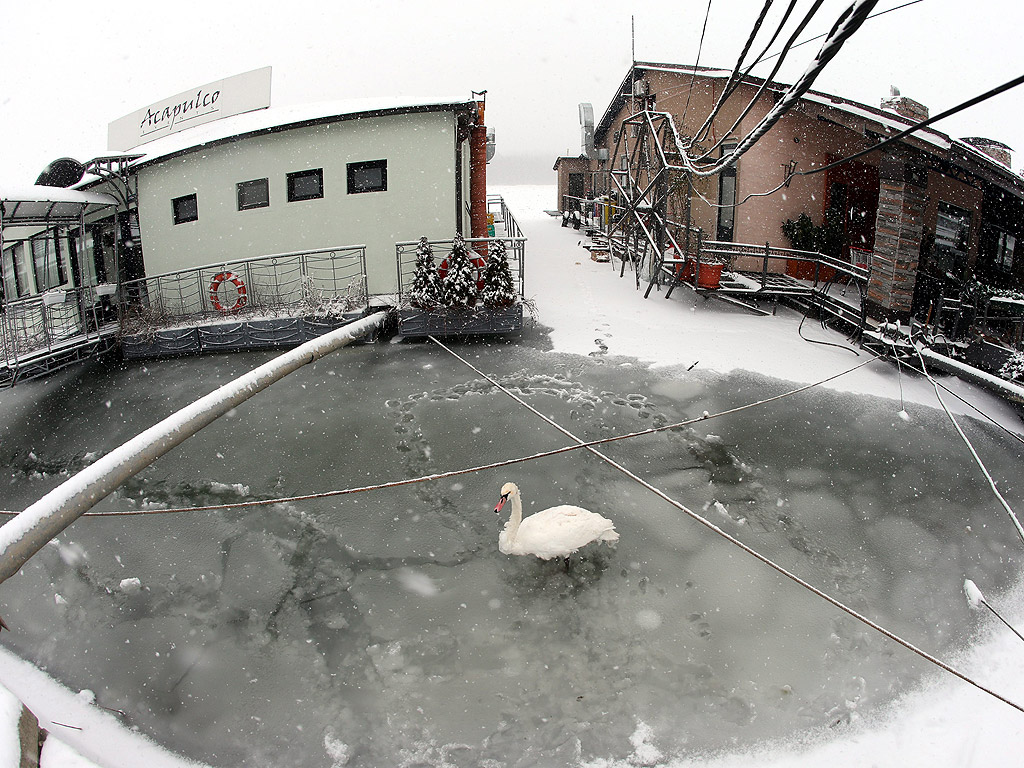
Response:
column 558, row 532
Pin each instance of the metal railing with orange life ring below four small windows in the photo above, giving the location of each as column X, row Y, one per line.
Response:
column 325, row 281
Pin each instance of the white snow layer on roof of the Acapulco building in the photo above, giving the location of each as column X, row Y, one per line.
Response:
column 279, row 118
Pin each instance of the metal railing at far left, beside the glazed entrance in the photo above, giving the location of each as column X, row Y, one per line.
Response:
column 52, row 323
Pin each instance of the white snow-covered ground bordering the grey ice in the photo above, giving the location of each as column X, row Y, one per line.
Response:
column 591, row 311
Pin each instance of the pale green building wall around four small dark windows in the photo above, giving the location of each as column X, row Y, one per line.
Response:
column 420, row 199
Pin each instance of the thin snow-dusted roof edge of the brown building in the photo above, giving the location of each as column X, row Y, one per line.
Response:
column 937, row 143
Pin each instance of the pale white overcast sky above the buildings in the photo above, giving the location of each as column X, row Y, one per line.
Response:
column 71, row 68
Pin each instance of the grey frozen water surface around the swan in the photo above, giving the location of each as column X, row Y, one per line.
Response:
column 385, row 628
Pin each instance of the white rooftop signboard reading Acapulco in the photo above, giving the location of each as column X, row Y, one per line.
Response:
column 234, row 96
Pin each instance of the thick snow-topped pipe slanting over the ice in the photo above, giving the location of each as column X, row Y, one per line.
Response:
column 33, row 529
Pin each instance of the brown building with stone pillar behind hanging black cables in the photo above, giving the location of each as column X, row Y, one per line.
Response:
column 929, row 212
